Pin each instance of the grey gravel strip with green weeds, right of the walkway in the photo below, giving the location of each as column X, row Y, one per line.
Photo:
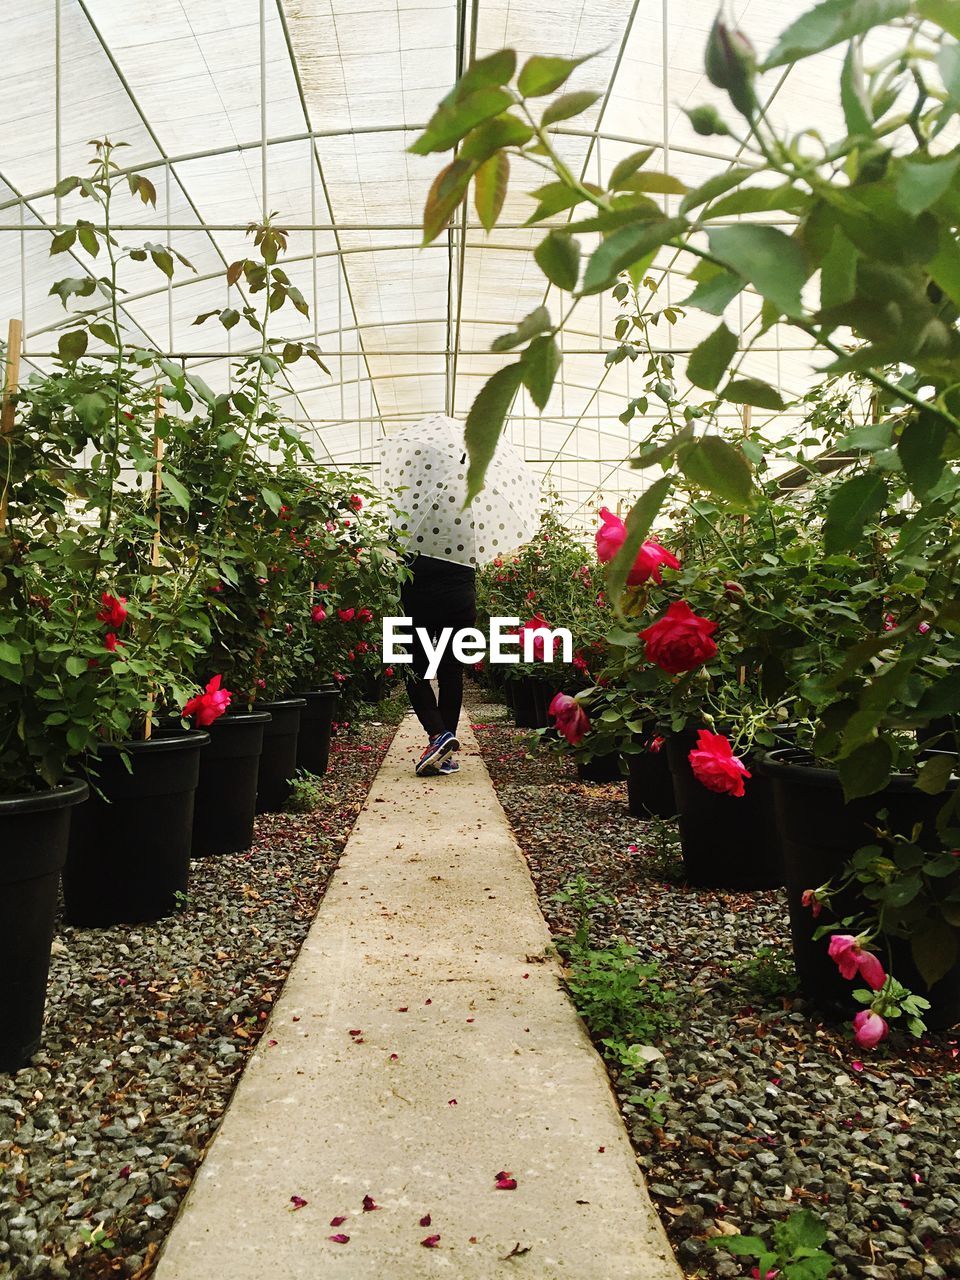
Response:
column 766, row 1109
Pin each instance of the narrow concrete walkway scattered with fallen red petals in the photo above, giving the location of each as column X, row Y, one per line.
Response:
column 423, row 1046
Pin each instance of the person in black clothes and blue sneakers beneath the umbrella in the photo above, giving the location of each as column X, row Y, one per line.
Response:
column 440, row 595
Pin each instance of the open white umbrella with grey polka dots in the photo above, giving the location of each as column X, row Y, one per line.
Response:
column 426, row 468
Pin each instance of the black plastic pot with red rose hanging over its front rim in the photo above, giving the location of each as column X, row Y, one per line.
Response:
column 728, row 842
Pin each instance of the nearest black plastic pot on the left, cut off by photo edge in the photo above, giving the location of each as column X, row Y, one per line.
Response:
column 34, row 834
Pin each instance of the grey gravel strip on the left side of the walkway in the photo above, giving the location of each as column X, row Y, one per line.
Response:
column 148, row 1032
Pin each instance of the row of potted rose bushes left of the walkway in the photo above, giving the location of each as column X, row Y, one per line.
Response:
column 186, row 597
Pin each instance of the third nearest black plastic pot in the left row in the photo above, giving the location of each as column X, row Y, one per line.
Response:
column 227, row 792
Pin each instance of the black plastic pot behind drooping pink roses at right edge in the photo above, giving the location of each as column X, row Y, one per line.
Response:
column 819, row 833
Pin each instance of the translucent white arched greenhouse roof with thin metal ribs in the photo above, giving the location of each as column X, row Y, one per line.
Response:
column 308, row 107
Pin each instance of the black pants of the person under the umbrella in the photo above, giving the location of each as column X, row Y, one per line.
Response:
column 433, row 611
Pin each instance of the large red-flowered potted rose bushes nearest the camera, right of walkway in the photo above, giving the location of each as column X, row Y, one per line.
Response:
column 820, row 669
